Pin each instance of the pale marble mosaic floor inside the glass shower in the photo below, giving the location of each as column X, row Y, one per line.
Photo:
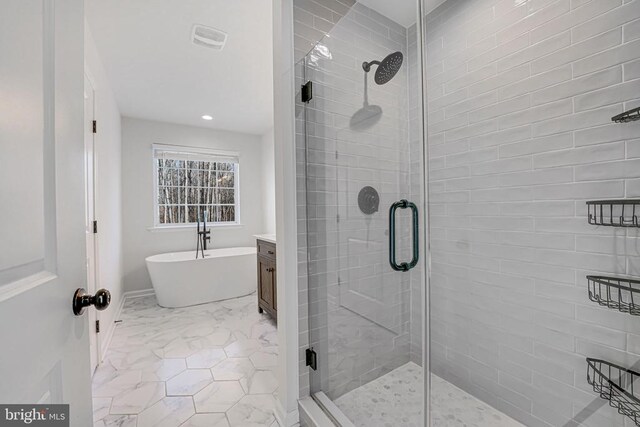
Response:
column 395, row 400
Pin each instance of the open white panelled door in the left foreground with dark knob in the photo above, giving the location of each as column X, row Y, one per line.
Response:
column 44, row 350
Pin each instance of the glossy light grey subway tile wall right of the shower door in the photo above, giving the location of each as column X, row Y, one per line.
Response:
column 520, row 97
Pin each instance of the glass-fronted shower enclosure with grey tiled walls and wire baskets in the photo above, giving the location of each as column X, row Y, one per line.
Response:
column 469, row 199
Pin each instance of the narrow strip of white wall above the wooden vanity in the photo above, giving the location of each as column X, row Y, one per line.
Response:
column 268, row 183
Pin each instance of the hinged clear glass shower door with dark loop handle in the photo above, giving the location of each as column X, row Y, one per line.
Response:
column 361, row 138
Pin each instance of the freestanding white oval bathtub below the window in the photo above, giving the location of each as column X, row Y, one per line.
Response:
column 180, row 280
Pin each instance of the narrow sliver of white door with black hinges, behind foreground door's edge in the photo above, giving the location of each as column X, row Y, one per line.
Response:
column 90, row 217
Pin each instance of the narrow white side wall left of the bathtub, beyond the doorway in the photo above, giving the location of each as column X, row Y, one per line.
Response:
column 108, row 181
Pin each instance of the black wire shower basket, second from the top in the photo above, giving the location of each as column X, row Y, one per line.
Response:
column 614, row 213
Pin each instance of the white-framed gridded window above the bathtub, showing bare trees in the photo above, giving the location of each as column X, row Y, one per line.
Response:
column 192, row 184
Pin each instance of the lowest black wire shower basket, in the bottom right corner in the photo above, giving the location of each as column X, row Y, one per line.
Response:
column 617, row 385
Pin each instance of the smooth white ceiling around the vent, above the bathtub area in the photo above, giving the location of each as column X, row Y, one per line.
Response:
column 158, row 74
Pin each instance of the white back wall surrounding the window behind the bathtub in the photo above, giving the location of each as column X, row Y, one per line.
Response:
column 139, row 240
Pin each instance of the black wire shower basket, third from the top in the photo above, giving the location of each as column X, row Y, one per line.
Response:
column 616, row 293
